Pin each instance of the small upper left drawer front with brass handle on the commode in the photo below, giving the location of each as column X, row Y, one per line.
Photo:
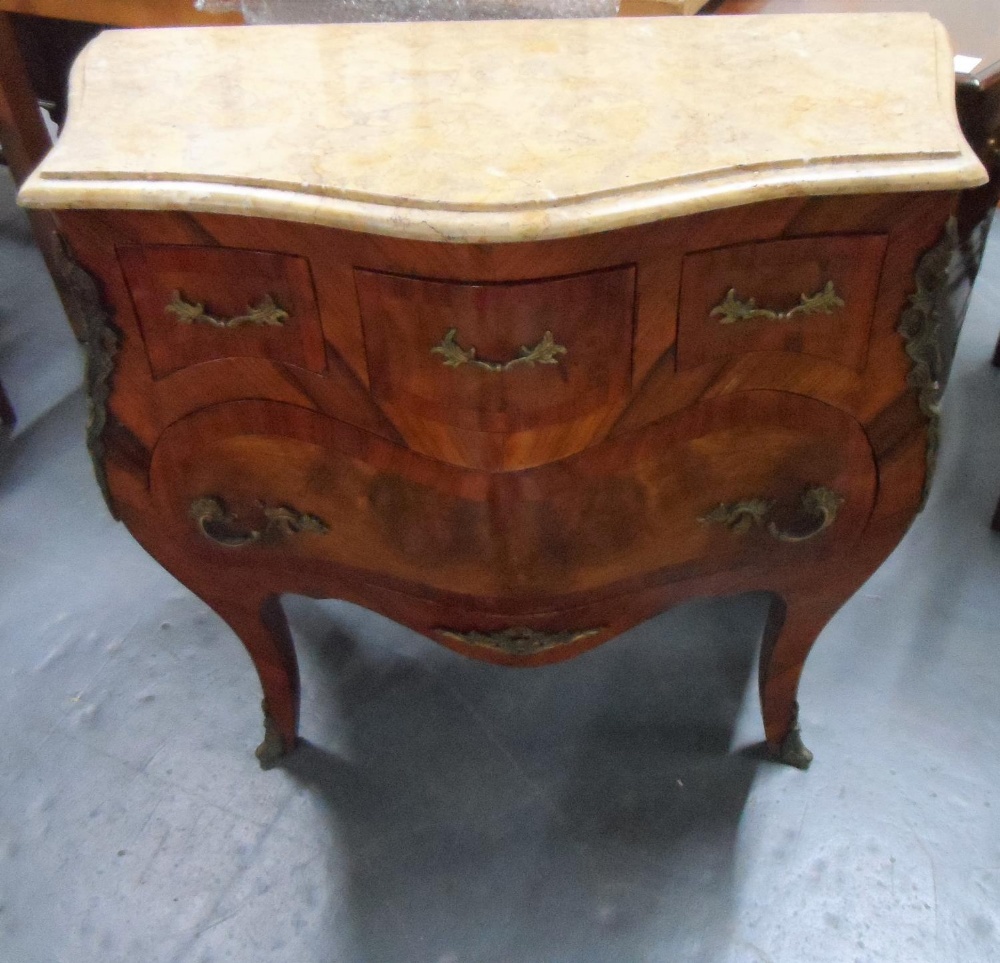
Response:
column 197, row 304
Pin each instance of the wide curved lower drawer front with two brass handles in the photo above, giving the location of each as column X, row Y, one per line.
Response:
column 760, row 478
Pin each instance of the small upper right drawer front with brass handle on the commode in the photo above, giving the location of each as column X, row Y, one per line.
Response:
column 813, row 296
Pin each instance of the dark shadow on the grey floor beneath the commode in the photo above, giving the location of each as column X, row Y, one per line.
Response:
column 586, row 811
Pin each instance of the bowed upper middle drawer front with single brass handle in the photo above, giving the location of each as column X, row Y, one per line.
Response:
column 498, row 357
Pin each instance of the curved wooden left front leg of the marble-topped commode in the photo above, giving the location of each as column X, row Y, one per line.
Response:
column 261, row 626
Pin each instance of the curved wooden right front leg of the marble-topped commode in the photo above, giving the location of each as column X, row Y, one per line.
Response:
column 793, row 623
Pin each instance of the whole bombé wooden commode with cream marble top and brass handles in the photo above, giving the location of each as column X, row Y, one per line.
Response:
column 341, row 350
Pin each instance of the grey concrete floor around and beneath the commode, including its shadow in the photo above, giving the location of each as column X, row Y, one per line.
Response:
column 613, row 808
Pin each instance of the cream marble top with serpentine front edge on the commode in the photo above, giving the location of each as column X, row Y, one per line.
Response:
column 502, row 131
